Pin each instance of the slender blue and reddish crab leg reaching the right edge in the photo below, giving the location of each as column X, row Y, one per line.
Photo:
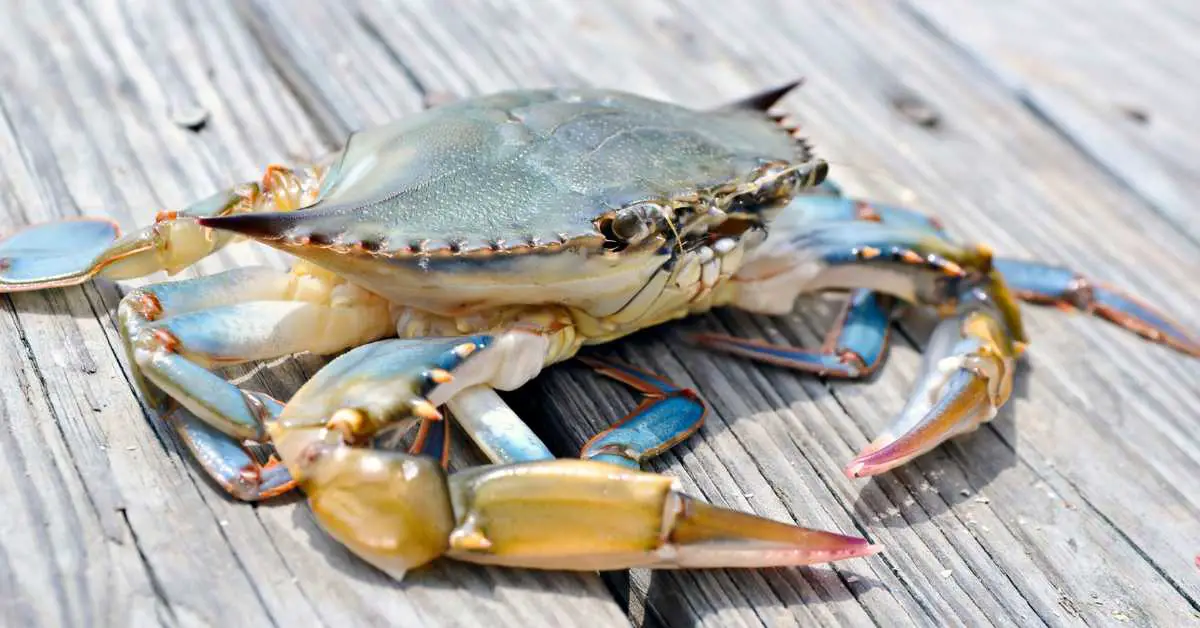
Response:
column 1052, row 285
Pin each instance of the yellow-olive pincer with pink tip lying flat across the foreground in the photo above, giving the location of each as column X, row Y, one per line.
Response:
column 590, row 516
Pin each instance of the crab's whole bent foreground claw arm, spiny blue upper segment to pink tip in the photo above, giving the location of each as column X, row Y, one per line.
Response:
column 400, row 512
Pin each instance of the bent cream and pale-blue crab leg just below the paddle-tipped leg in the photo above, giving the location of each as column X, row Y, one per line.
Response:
column 176, row 332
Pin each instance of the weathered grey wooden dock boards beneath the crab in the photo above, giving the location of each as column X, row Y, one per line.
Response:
column 1063, row 131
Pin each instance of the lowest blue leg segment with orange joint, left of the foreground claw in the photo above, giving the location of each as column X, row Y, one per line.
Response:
column 227, row 460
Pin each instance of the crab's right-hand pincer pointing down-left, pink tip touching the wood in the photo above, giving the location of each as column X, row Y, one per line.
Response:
column 967, row 378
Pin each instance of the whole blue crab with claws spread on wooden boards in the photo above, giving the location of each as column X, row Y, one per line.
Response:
column 463, row 250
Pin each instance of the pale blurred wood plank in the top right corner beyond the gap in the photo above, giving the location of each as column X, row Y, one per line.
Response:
column 1111, row 76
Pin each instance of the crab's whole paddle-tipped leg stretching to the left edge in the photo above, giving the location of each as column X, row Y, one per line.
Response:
column 70, row 253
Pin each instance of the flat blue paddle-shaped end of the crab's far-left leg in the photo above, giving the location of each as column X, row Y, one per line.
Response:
column 55, row 255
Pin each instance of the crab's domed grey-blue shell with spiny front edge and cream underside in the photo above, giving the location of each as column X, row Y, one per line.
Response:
column 578, row 198
